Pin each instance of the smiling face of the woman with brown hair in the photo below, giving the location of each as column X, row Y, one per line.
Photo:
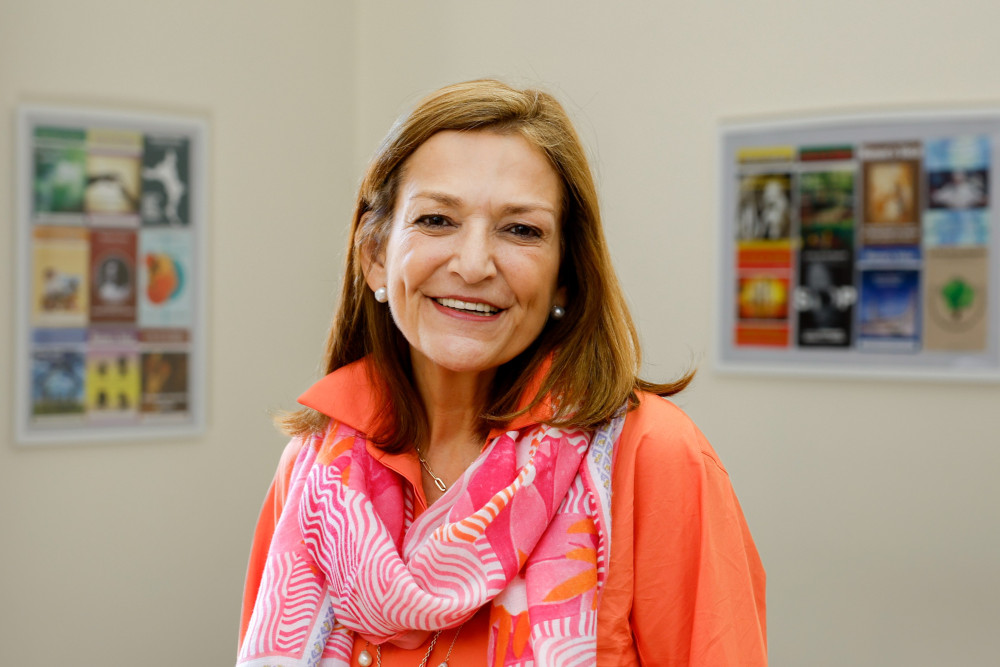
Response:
column 472, row 258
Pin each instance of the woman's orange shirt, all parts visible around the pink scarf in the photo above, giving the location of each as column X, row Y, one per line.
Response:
column 685, row 585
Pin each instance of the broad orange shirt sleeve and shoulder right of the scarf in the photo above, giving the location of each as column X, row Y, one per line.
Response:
column 695, row 596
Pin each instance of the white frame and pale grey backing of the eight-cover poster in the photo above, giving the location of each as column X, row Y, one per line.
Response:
column 854, row 128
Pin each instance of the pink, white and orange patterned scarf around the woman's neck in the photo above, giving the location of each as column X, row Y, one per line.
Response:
column 527, row 528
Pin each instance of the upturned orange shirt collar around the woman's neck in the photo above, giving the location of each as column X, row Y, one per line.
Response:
column 348, row 396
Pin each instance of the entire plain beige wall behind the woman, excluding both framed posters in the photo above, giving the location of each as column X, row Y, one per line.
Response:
column 874, row 504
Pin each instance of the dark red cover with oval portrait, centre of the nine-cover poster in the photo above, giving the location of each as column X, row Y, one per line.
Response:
column 113, row 275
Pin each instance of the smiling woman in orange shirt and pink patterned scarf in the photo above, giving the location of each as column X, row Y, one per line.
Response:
column 447, row 495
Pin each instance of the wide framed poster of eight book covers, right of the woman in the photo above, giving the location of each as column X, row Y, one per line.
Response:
column 861, row 245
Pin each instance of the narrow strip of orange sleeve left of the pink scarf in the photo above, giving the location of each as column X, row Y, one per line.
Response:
column 270, row 512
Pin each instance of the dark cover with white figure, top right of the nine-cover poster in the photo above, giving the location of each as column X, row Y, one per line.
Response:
column 166, row 181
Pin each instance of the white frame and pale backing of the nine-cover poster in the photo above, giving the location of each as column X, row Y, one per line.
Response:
column 185, row 422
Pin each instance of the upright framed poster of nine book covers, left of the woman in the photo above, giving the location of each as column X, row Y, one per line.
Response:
column 111, row 275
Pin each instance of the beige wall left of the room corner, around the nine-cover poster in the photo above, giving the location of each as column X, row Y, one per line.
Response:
column 134, row 553
